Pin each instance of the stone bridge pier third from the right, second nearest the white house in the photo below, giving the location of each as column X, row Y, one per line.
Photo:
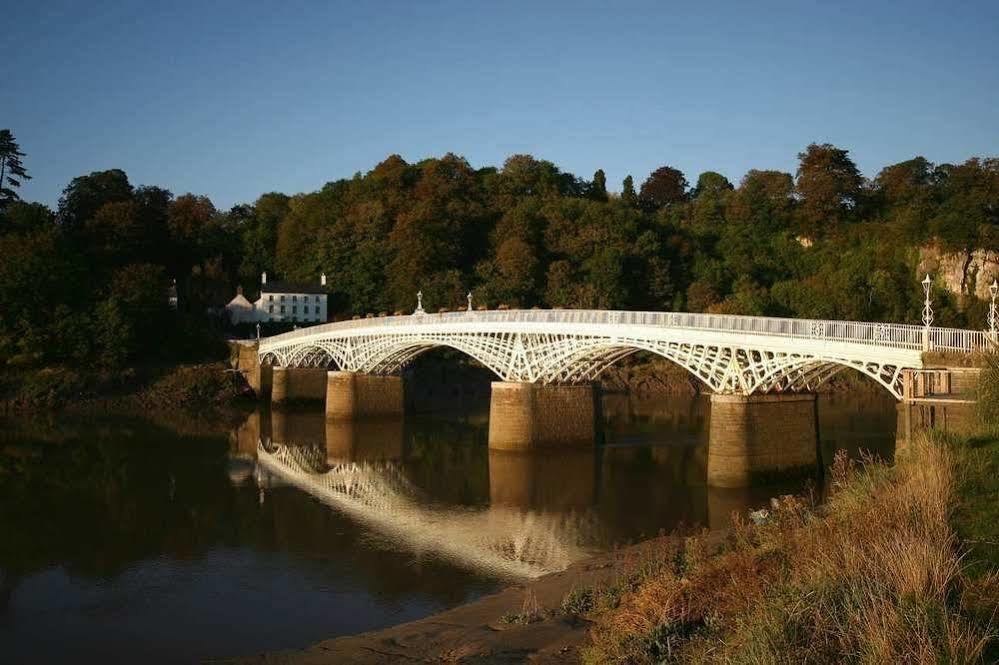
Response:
column 351, row 395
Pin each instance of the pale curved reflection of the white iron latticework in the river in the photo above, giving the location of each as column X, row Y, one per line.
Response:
column 497, row 540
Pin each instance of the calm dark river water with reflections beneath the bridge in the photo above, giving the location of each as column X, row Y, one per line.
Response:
column 132, row 541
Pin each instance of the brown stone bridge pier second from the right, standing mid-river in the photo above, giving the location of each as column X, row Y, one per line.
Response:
column 527, row 416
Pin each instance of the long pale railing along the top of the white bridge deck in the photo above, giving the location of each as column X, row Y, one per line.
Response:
column 889, row 335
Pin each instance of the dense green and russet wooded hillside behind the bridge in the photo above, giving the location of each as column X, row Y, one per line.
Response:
column 87, row 280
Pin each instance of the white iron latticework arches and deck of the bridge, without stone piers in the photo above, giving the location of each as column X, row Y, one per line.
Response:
column 729, row 354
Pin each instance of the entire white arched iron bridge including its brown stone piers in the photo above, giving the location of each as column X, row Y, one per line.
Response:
column 762, row 373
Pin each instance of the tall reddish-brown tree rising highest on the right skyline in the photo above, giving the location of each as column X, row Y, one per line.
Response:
column 829, row 185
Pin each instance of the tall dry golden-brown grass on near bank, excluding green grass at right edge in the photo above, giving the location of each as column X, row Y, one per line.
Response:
column 872, row 576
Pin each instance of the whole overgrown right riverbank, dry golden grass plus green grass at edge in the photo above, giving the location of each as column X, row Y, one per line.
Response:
column 899, row 563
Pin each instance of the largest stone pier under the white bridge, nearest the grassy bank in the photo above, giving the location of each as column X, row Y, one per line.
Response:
column 752, row 437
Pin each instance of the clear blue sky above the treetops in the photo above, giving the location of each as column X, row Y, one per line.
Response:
column 232, row 99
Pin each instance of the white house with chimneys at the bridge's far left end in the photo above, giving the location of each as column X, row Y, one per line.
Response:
column 281, row 301
